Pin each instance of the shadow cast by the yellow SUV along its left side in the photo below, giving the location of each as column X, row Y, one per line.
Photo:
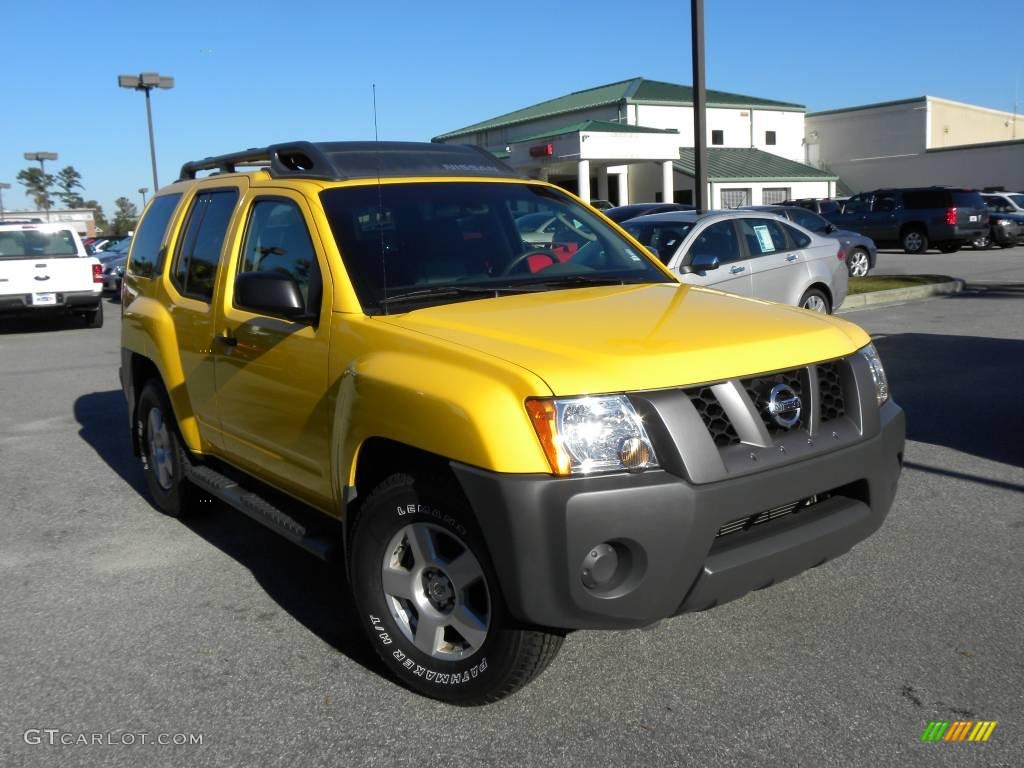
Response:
column 313, row 592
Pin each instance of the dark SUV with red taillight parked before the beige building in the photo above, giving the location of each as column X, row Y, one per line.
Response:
column 914, row 219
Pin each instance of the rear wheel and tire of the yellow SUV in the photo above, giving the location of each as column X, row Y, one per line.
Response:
column 170, row 491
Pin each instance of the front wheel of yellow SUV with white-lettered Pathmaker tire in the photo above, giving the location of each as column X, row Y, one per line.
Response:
column 482, row 667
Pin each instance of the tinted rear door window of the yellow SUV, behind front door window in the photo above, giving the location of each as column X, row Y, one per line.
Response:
column 196, row 269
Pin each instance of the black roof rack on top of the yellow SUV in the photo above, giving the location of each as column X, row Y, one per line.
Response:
column 340, row 161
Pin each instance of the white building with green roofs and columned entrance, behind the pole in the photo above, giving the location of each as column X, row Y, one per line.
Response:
column 627, row 142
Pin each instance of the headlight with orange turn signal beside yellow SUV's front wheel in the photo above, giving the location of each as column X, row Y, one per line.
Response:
column 582, row 436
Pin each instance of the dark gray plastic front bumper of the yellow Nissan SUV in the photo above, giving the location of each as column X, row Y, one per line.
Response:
column 540, row 530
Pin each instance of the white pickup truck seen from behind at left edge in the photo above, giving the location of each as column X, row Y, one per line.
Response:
column 45, row 269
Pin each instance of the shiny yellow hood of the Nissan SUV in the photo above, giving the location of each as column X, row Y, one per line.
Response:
column 623, row 338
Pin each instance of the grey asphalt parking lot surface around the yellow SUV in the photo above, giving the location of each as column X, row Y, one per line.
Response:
column 115, row 620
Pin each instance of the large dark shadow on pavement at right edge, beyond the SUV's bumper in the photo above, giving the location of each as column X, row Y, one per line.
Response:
column 960, row 392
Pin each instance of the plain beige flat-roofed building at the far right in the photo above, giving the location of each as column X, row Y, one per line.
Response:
column 918, row 142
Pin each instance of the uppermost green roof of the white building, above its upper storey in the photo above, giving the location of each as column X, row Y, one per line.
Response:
column 635, row 91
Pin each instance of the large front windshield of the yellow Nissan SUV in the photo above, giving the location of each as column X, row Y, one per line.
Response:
column 410, row 245
